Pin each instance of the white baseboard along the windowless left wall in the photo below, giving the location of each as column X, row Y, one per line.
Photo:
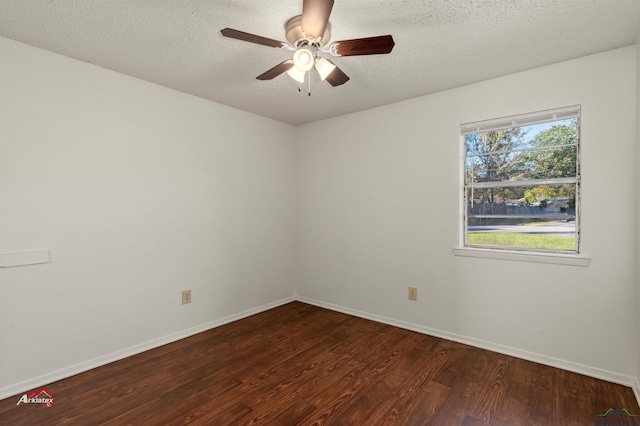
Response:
column 37, row 382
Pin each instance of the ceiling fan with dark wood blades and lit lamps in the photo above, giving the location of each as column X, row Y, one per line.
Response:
column 308, row 35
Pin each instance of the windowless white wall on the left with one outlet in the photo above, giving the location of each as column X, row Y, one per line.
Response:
column 140, row 192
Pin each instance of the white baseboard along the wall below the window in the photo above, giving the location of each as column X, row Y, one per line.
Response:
column 595, row 372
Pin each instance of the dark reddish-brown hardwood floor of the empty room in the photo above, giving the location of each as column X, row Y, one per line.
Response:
column 302, row 365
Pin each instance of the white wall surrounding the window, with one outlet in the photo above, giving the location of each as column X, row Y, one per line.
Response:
column 378, row 210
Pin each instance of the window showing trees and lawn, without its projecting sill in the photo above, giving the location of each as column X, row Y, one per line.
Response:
column 522, row 182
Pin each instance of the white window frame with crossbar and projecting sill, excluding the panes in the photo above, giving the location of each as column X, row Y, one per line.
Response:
column 571, row 257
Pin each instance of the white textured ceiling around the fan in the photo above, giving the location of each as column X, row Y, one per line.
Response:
column 440, row 44
